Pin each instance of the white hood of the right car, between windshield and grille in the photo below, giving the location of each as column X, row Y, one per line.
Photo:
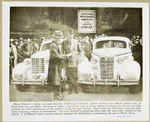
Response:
column 111, row 52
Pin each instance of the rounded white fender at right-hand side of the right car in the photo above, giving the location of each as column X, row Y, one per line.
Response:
column 130, row 71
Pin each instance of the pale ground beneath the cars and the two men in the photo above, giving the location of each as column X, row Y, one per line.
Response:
column 100, row 93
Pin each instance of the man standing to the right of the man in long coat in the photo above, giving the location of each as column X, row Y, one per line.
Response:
column 70, row 48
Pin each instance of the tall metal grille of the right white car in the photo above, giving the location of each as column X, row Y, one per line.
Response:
column 106, row 67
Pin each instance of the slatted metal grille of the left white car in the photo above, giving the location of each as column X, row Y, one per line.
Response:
column 37, row 65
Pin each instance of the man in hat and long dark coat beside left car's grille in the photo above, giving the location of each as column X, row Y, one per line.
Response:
column 55, row 62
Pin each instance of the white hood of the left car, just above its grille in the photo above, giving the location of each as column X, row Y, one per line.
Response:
column 41, row 54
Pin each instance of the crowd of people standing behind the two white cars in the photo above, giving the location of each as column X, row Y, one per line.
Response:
column 24, row 48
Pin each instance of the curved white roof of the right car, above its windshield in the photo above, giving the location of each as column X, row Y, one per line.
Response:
column 112, row 38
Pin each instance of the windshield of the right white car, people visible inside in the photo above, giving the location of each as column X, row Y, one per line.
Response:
column 111, row 44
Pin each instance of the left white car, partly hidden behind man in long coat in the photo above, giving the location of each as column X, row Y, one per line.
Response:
column 34, row 70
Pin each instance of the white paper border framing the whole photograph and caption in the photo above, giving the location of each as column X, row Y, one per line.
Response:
column 144, row 115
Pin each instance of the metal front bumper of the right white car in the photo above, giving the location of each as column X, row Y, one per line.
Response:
column 108, row 82
